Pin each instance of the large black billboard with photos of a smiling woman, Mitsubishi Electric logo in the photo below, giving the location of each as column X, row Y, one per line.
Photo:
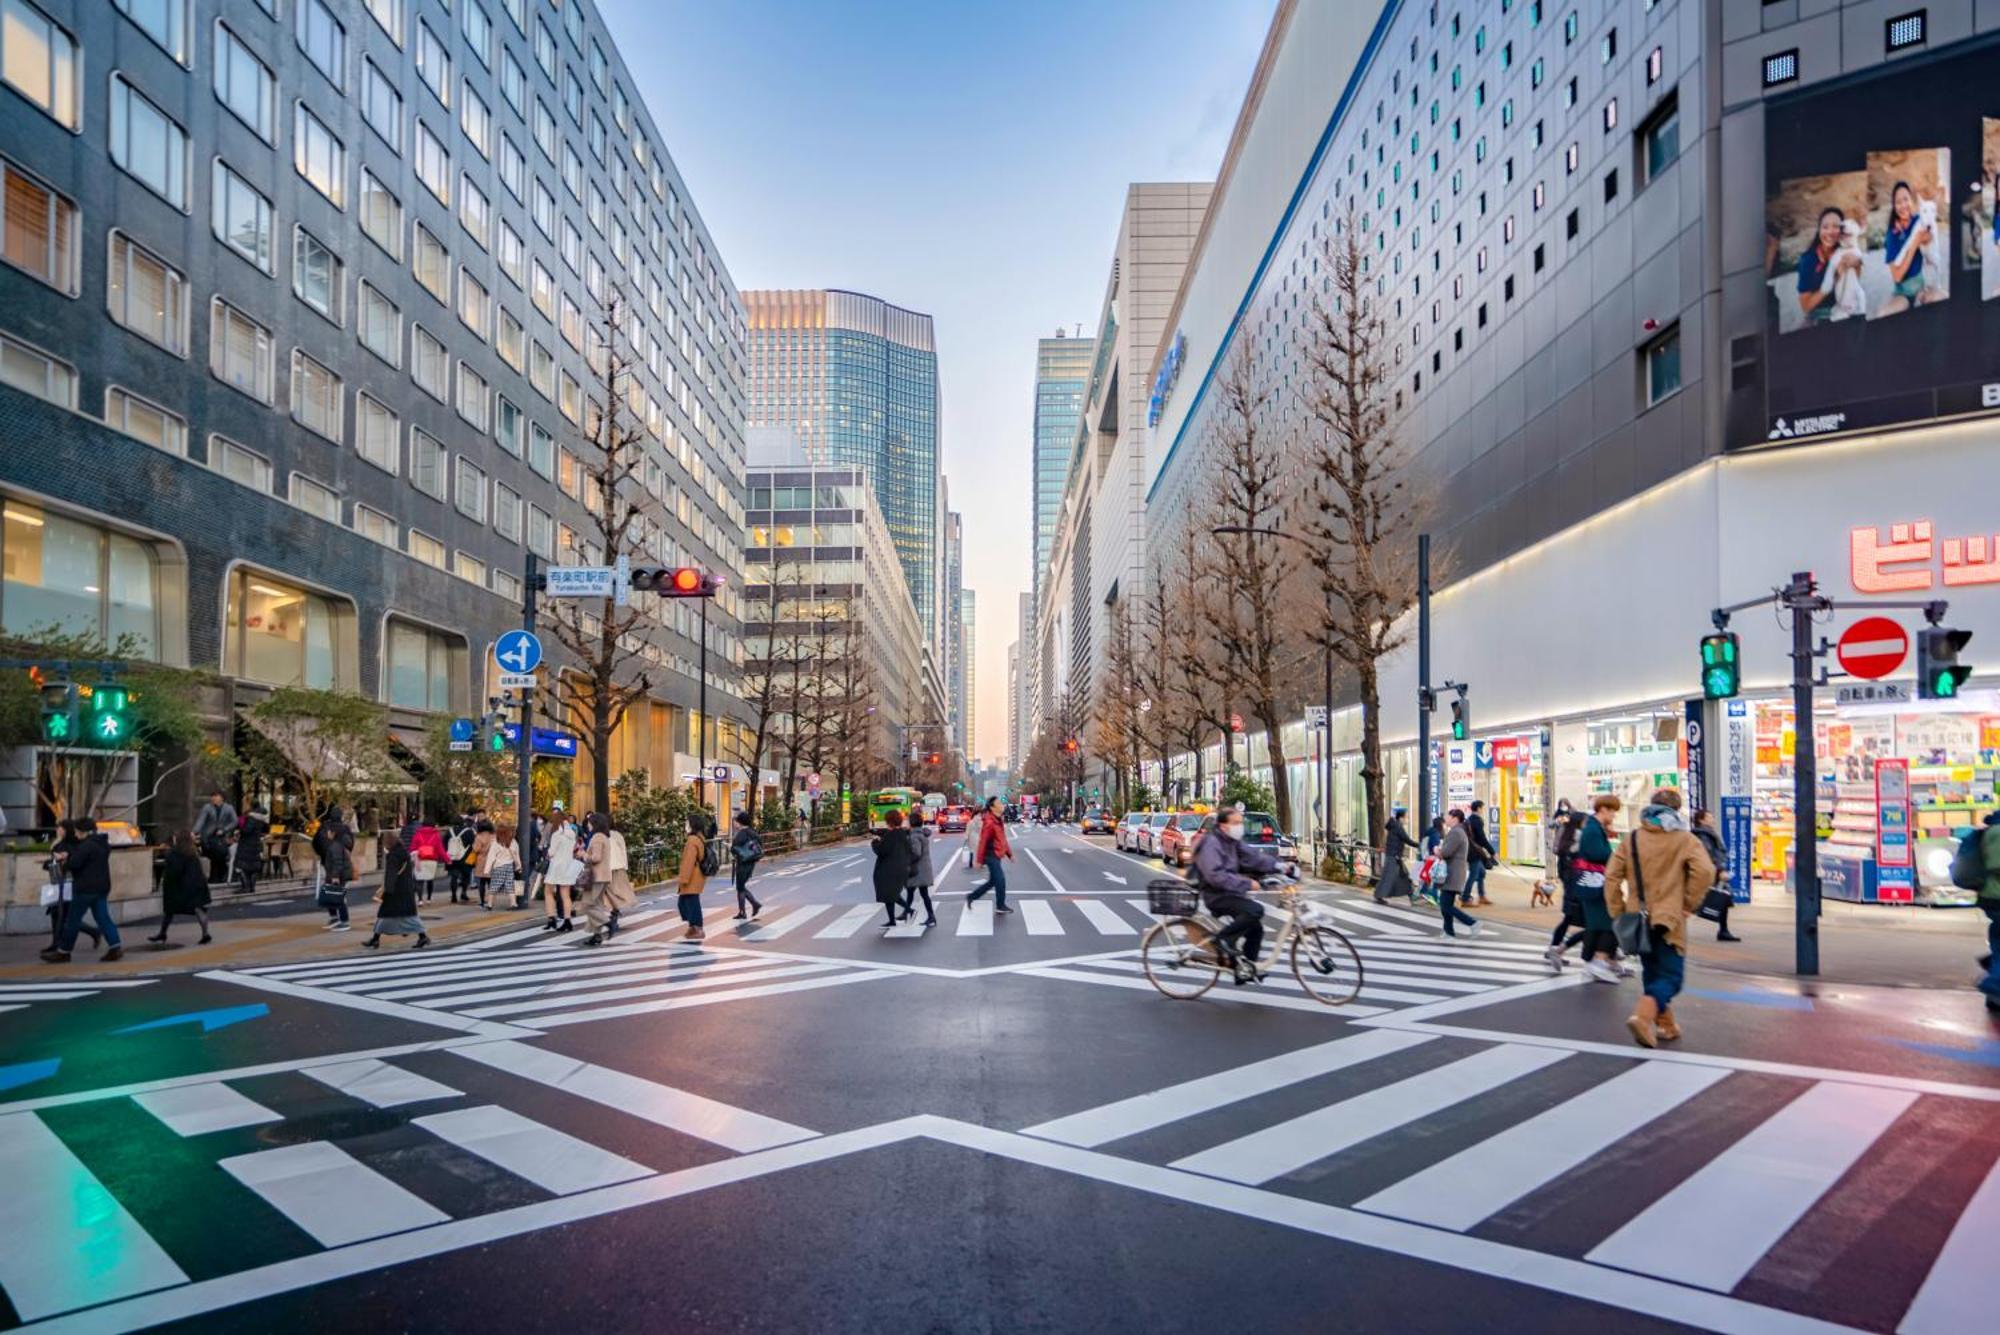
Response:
column 1881, row 251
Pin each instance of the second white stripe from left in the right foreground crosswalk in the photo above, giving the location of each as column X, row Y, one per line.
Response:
column 1325, row 1132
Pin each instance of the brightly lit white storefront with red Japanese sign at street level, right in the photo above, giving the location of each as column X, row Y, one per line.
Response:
column 1585, row 668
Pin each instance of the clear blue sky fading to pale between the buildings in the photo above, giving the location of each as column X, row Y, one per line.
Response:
column 965, row 159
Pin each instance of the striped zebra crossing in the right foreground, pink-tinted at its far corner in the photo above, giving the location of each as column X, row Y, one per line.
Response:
column 1619, row 1162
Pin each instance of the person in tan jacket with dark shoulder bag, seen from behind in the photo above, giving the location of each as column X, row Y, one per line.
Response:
column 1663, row 872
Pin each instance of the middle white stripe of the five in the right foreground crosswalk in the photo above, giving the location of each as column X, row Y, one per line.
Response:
column 1483, row 1180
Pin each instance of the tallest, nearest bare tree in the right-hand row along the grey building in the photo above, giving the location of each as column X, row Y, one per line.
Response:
column 1365, row 505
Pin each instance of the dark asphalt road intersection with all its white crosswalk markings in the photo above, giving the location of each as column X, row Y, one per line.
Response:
column 817, row 1124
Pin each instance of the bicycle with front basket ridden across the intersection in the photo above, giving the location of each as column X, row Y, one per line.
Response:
column 1183, row 962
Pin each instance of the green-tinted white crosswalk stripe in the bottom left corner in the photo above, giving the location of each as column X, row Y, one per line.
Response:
column 69, row 1242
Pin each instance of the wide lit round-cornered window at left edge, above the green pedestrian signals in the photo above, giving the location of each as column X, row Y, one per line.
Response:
column 79, row 579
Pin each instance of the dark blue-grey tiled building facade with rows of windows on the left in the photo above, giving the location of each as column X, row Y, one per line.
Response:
column 301, row 321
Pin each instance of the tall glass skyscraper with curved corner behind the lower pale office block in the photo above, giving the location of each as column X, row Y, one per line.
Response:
column 857, row 383
